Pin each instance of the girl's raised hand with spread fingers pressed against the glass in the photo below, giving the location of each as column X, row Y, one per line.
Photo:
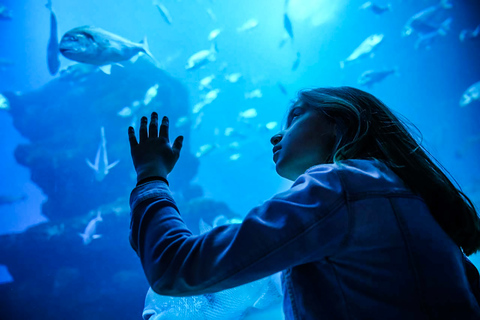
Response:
column 153, row 155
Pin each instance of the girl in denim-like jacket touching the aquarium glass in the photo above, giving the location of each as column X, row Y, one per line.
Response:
column 370, row 229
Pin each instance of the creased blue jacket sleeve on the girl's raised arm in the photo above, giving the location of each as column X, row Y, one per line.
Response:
column 305, row 223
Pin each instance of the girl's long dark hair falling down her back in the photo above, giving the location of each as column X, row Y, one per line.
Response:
column 368, row 129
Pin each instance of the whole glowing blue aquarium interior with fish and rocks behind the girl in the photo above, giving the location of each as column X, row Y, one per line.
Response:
column 74, row 75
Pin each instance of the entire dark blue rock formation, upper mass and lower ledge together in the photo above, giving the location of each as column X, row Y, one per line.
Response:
column 56, row 275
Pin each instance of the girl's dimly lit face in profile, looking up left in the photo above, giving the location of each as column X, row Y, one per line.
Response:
column 307, row 140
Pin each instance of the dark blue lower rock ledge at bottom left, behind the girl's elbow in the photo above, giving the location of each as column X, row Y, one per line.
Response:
column 56, row 276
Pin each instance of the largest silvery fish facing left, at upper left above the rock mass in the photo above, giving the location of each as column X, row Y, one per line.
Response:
column 96, row 46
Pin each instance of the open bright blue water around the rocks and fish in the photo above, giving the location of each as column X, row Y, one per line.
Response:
column 427, row 88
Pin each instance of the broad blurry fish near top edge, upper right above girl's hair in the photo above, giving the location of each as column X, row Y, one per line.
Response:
column 429, row 20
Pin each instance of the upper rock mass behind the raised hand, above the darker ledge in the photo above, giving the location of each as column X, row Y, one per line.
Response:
column 63, row 119
